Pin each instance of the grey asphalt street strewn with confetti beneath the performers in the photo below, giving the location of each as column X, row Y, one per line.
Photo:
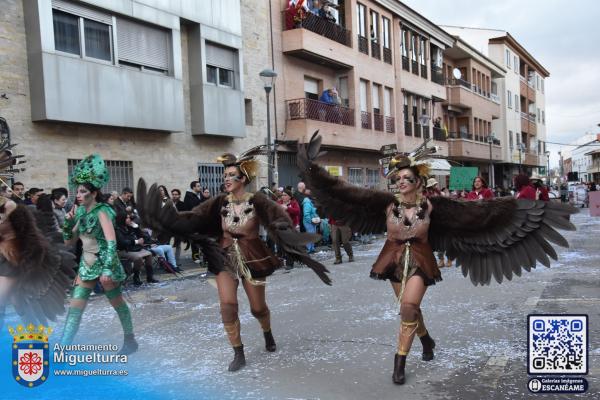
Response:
column 338, row 342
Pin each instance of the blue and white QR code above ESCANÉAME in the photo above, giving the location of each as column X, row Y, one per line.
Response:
column 557, row 344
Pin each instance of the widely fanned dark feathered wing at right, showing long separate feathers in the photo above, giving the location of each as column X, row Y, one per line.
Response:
column 498, row 237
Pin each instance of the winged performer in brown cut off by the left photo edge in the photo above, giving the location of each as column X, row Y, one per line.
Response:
column 36, row 268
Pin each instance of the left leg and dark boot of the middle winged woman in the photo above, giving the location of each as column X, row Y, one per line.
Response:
column 227, row 288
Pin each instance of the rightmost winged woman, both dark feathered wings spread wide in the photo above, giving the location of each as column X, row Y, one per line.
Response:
column 489, row 238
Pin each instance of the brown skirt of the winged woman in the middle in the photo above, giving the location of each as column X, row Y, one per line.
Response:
column 260, row 260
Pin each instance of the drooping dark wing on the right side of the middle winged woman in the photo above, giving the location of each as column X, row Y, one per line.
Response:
column 281, row 230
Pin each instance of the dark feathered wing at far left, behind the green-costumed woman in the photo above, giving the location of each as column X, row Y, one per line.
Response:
column 45, row 269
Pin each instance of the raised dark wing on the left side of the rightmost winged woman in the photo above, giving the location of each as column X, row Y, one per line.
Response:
column 361, row 209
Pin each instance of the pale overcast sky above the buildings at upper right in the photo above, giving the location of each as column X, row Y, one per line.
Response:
column 563, row 35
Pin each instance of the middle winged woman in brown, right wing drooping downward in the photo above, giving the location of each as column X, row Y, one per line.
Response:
column 234, row 219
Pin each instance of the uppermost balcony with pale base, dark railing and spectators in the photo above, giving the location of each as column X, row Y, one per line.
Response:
column 303, row 38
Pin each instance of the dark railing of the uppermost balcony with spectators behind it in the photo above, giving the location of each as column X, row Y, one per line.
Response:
column 318, row 25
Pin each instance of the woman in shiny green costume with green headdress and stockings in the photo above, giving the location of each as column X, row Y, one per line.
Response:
column 92, row 221
